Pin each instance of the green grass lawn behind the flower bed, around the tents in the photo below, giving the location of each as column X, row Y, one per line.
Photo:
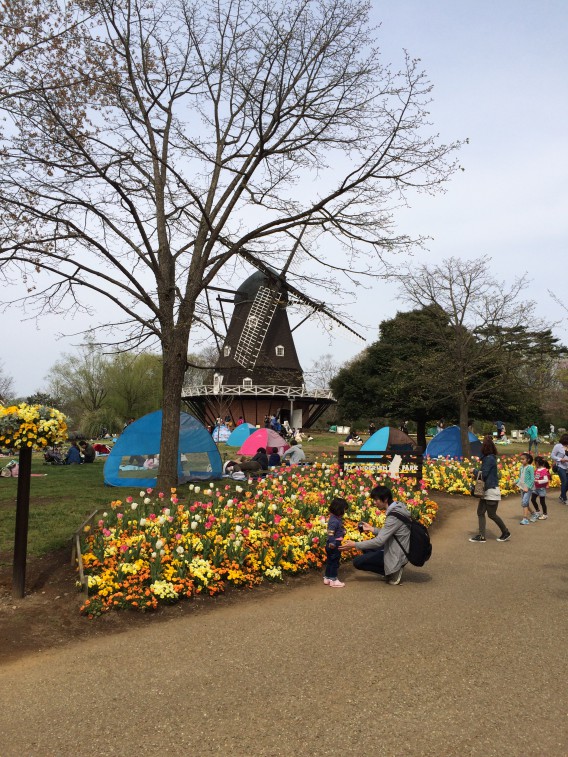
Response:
column 65, row 495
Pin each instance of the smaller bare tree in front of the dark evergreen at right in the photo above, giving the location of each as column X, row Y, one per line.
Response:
column 484, row 325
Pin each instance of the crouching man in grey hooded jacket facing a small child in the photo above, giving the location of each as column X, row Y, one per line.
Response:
column 384, row 554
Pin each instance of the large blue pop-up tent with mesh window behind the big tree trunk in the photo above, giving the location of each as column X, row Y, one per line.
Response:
column 134, row 460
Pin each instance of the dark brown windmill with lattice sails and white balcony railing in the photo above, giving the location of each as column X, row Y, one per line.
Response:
column 258, row 372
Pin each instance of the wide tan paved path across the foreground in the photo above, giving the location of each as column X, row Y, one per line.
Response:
column 465, row 657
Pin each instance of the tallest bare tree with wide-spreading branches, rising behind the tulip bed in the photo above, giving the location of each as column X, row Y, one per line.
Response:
column 194, row 133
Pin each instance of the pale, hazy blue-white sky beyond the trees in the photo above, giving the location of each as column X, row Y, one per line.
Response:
column 499, row 75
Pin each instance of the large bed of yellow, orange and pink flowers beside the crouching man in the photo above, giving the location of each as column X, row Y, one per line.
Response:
column 156, row 549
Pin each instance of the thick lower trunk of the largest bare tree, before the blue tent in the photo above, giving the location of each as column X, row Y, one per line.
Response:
column 174, row 366
